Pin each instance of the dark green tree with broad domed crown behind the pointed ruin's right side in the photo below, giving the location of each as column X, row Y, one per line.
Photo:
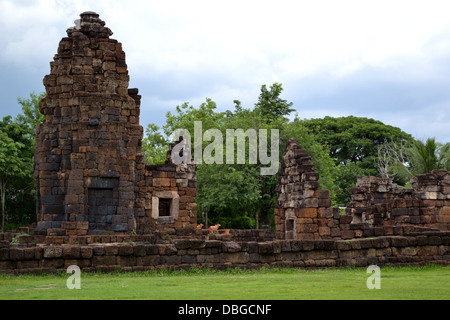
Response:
column 353, row 143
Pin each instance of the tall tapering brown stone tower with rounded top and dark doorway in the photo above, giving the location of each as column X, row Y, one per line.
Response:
column 88, row 159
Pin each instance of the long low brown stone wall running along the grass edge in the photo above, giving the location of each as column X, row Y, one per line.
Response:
column 426, row 248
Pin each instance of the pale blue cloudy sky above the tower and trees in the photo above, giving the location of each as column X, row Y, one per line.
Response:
column 387, row 60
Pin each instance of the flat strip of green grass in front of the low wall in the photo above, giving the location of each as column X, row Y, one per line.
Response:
column 412, row 283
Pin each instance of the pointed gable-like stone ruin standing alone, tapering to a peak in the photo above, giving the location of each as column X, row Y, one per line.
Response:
column 303, row 211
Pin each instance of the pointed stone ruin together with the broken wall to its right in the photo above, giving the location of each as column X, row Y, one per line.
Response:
column 378, row 208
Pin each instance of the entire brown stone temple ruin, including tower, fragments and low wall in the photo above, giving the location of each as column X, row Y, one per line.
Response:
column 100, row 207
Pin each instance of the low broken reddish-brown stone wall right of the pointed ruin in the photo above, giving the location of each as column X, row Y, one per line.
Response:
column 379, row 204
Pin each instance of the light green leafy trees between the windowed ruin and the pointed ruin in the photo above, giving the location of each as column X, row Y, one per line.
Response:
column 237, row 195
